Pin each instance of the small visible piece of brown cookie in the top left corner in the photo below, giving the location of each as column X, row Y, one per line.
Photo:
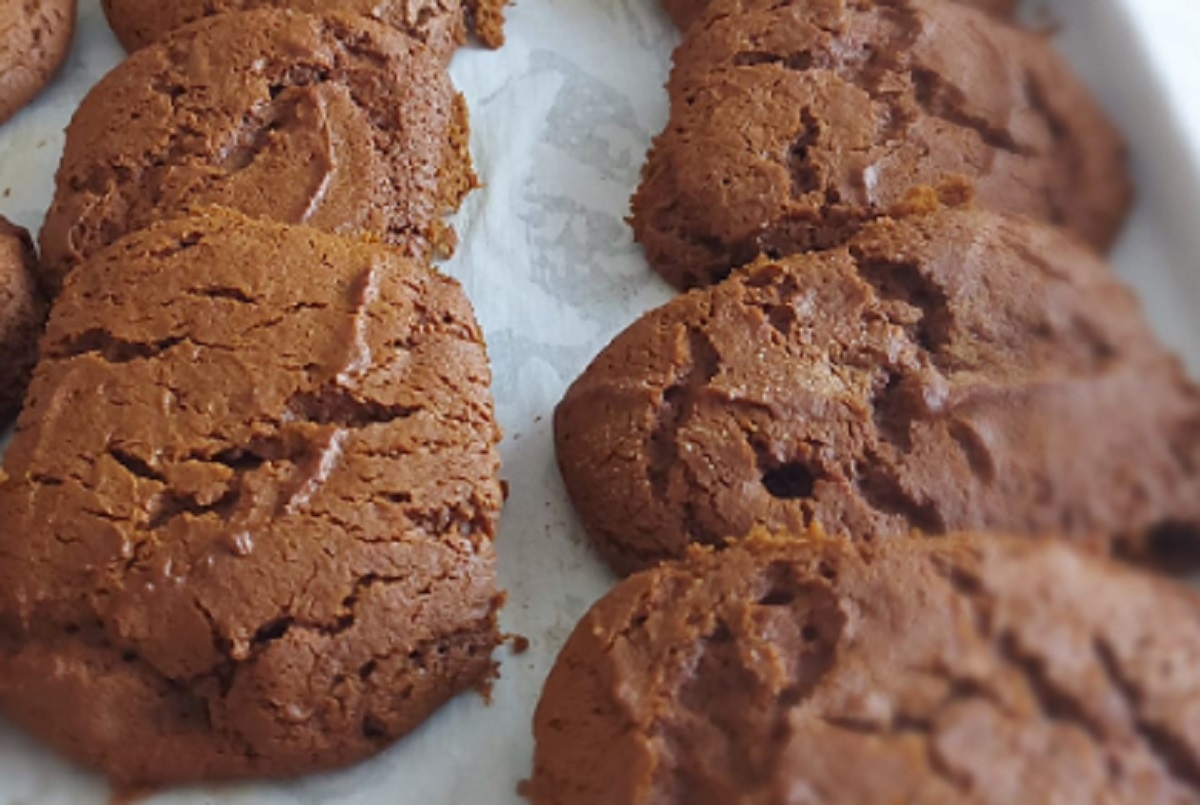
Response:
column 35, row 39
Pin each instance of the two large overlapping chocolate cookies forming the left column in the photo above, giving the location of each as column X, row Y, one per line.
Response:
column 250, row 504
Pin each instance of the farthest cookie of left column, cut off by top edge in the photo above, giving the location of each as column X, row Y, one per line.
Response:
column 437, row 23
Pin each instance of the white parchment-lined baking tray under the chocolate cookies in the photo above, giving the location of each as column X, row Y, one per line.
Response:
column 562, row 118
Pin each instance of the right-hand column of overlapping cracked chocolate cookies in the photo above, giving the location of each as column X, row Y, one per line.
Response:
column 869, row 361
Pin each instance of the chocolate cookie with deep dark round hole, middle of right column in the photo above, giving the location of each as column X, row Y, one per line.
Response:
column 951, row 373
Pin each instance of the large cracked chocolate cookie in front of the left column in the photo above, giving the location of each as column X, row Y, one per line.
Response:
column 249, row 518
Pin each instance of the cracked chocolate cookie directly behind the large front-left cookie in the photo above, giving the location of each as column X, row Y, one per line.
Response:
column 337, row 122
